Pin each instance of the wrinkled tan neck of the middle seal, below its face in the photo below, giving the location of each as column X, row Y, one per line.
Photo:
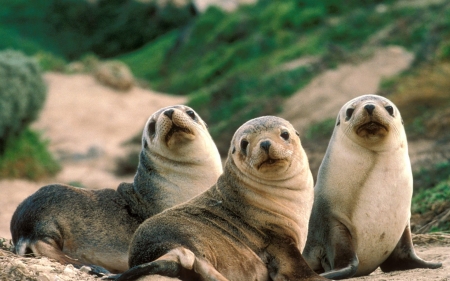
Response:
column 281, row 206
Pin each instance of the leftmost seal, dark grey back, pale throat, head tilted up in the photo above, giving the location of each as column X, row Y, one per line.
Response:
column 178, row 161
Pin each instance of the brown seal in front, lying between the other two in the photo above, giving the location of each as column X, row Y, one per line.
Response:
column 251, row 225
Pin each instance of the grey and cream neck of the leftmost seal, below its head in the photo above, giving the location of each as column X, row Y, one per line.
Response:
column 171, row 183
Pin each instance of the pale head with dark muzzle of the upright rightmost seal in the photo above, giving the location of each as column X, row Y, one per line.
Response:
column 370, row 119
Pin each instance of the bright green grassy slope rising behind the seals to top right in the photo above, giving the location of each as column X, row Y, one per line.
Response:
column 232, row 65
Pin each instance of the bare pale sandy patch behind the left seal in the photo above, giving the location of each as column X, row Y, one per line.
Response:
column 86, row 123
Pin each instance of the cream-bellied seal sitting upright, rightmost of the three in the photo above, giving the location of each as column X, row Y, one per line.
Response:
column 362, row 198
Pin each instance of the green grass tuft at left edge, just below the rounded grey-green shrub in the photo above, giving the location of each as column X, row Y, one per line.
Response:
column 27, row 157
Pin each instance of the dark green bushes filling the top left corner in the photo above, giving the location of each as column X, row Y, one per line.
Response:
column 71, row 28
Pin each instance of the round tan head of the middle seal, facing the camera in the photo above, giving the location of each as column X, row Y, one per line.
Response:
column 267, row 147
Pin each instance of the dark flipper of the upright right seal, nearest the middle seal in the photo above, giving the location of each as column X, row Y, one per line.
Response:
column 341, row 255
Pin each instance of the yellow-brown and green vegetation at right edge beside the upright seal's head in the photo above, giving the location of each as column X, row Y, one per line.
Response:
column 422, row 96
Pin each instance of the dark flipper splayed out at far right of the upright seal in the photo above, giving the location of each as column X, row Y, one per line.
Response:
column 404, row 257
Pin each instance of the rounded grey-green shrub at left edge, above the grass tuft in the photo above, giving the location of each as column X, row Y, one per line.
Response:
column 22, row 94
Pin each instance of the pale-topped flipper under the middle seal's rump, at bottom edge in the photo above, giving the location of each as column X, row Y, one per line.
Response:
column 178, row 263
